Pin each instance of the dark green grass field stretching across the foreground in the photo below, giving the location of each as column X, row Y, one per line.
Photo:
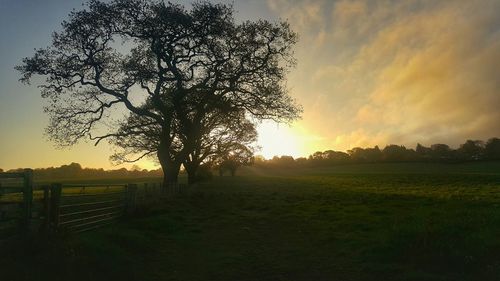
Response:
column 360, row 222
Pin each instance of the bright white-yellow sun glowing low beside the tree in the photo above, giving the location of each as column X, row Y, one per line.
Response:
column 277, row 140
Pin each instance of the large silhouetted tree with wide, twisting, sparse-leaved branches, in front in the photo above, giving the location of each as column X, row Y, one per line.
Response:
column 144, row 74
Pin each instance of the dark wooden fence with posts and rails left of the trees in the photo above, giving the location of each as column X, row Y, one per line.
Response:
column 70, row 207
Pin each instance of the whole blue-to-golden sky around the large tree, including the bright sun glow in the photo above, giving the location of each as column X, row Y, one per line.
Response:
column 368, row 73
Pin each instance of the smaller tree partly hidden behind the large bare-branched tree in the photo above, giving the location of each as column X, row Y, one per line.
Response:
column 221, row 132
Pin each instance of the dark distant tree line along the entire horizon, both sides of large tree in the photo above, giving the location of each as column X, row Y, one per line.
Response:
column 471, row 150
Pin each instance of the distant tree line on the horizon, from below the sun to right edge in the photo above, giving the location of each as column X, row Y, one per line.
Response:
column 471, row 150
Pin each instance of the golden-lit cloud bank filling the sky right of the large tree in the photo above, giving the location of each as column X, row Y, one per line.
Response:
column 380, row 72
